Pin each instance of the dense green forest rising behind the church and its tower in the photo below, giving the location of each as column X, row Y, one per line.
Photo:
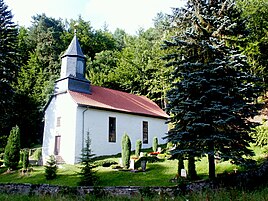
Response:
column 31, row 58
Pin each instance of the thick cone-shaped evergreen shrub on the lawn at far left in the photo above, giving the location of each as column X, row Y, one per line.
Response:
column 12, row 149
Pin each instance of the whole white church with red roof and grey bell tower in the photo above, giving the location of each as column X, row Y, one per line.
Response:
column 78, row 108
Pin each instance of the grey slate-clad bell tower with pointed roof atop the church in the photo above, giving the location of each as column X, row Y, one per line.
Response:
column 72, row 76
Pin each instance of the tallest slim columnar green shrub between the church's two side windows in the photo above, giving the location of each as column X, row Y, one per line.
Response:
column 126, row 150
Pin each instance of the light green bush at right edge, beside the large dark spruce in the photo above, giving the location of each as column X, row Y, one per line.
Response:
column 260, row 134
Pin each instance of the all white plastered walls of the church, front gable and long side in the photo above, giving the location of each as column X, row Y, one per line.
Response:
column 77, row 121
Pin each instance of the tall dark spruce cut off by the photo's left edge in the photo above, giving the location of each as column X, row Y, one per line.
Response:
column 8, row 68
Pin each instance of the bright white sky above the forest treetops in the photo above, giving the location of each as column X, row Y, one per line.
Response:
column 129, row 15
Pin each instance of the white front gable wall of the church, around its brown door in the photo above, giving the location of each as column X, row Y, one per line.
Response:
column 60, row 106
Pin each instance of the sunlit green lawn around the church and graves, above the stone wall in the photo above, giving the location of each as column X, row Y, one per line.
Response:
column 156, row 174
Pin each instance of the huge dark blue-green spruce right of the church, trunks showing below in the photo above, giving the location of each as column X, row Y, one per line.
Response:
column 212, row 94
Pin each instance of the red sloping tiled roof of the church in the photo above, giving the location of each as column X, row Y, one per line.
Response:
column 104, row 98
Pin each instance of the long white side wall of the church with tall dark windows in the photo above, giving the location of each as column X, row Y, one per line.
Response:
column 96, row 123
